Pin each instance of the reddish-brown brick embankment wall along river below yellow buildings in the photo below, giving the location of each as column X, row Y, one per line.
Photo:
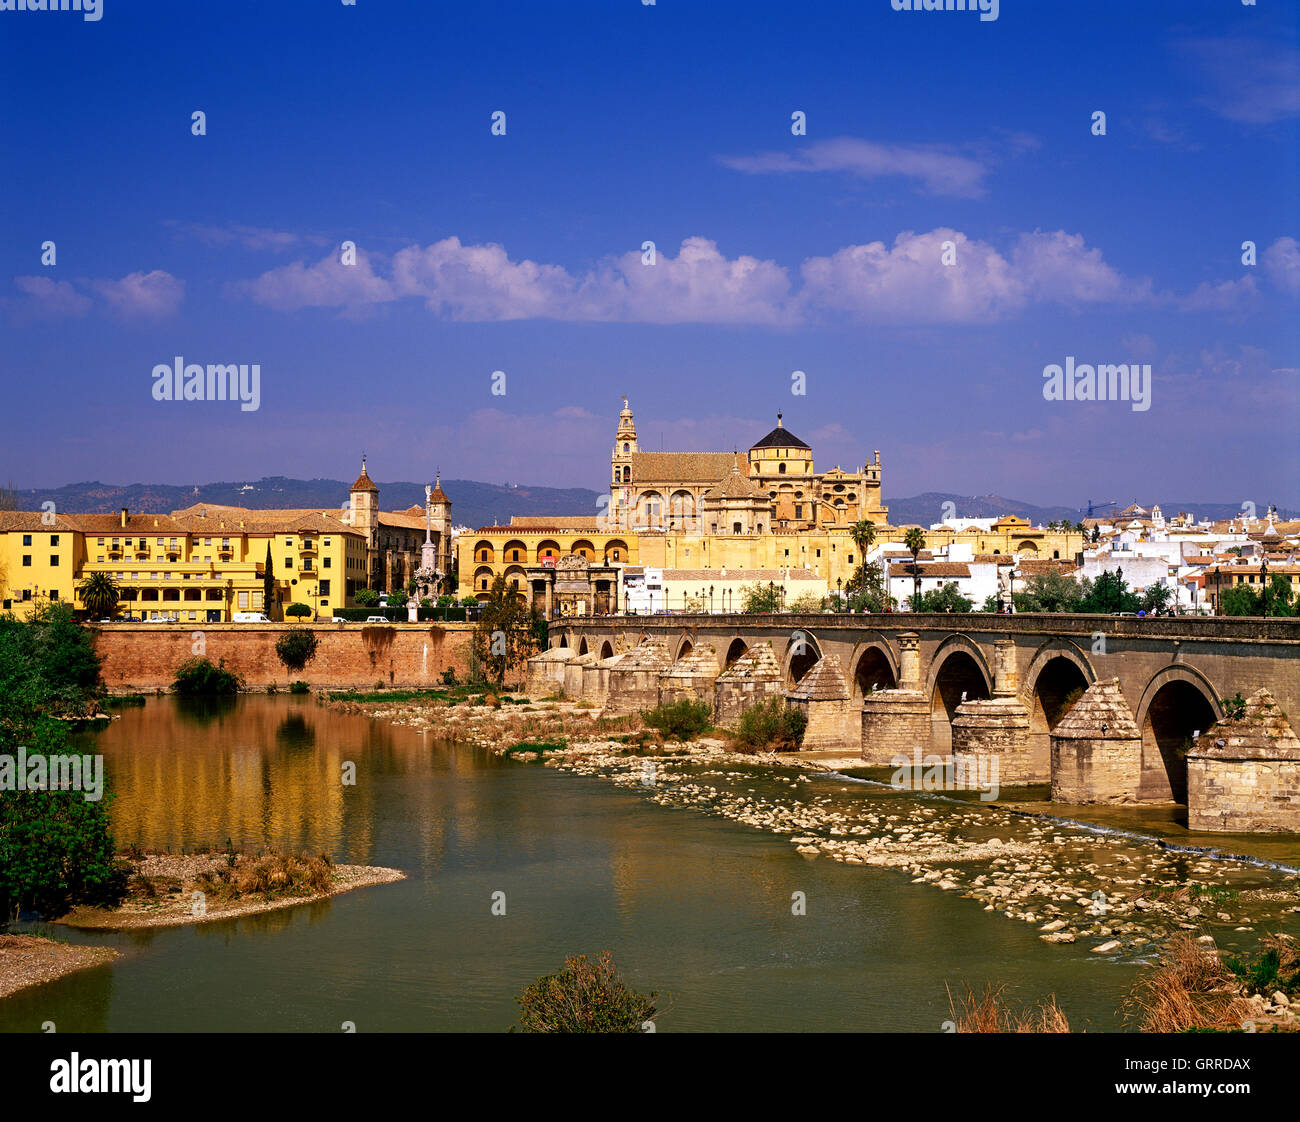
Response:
column 142, row 657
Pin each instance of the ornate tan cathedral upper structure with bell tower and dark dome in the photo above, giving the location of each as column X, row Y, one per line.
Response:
column 770, row 488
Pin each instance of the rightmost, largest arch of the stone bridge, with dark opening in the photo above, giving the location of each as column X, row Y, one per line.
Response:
column 1178, row 703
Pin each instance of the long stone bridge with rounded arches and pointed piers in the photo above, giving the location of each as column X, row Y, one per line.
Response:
column 963, row 686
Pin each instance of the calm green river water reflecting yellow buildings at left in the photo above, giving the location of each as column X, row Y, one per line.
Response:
column 692, row 906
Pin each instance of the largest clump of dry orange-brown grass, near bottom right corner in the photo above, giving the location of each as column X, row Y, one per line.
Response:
column 1189, row 987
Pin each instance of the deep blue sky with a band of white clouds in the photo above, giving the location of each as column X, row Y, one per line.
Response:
column 669, row 123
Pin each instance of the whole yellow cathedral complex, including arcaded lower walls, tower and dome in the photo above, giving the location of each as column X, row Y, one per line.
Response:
column 712, row 512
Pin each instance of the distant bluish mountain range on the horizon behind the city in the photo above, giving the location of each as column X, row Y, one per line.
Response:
column 479, row 505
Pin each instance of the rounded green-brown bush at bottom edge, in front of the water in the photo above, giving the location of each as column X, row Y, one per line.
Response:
column 586, row 998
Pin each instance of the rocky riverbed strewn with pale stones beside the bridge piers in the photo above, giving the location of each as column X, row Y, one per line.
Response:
column 1117, row 894
